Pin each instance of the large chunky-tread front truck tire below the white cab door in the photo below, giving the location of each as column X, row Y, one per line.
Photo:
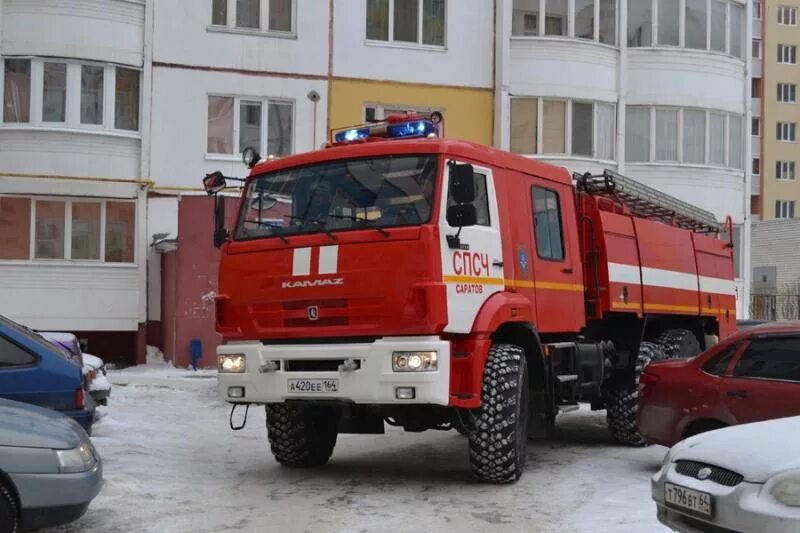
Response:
column 498, row 445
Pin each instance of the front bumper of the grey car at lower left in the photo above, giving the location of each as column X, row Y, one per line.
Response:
column 53, row 499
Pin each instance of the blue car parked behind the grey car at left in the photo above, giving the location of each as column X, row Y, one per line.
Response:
column 34, row 371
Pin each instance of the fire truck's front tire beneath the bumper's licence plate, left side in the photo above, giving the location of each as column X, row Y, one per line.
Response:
column 302, row 435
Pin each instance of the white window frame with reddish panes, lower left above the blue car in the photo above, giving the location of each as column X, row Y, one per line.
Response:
column 67, row 259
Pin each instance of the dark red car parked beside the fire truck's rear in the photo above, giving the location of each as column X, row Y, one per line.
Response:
column 752, row 375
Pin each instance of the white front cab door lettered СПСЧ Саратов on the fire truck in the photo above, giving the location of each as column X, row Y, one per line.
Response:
column 472, row 269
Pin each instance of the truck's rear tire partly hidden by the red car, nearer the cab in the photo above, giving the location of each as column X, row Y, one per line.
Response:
column 622, row 401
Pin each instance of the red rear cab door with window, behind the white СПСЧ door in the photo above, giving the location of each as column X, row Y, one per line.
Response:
column 557, row 265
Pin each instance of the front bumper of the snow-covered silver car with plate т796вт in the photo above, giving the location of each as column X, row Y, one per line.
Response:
column 744, row 507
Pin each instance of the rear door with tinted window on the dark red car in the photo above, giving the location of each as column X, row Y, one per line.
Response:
column 764, row 381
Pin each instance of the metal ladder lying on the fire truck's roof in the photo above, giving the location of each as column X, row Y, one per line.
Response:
column 647, row 202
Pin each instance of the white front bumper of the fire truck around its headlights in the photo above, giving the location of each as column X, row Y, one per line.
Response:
column 374, row 382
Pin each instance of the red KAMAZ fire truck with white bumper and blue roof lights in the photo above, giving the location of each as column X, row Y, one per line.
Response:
column 399, row 277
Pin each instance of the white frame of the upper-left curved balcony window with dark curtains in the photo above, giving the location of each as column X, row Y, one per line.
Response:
column 73, row 98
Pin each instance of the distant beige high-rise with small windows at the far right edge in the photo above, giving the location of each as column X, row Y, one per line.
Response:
column 777, row 194
